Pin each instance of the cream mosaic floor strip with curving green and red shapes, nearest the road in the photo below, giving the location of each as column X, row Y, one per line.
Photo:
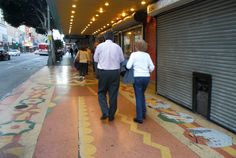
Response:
column 21, row 121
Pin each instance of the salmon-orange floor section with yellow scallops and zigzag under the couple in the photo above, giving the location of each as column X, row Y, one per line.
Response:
column 123, row 135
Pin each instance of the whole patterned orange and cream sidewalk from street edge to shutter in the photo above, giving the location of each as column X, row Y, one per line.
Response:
column 55, row 115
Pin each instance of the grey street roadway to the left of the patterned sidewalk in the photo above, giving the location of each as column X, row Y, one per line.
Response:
column 15, row 71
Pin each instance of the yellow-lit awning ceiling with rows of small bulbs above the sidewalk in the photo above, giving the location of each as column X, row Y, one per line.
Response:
column 85, row 10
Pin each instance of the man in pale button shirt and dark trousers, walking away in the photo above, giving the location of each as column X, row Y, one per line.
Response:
column 109, row 56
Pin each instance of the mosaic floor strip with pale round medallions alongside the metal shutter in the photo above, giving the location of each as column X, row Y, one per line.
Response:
column 194, row 132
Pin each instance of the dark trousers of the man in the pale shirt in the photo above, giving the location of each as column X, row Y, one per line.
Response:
column 109, row 81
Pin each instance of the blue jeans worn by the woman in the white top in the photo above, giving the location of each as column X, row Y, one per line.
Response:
column 140, row 86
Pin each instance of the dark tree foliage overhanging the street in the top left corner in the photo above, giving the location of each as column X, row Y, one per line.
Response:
column 32, row 13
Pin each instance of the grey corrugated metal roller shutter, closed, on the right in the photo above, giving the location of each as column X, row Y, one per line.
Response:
column 199, row 37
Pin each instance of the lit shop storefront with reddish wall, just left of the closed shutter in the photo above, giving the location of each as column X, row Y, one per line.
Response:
column 136, row 27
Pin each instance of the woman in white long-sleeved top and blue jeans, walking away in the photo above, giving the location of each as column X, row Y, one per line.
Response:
column 142, row 65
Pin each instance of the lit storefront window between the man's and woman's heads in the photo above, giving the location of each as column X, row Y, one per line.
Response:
column 129, row 39
